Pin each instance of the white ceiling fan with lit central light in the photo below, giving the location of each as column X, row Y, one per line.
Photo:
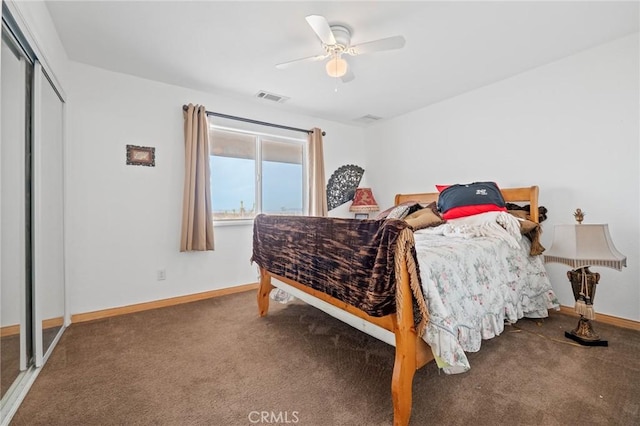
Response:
column 336, row 42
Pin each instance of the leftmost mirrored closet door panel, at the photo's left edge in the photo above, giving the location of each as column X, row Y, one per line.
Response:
column 16, row 347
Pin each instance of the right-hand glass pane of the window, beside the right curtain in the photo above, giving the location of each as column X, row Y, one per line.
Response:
column 282, row 178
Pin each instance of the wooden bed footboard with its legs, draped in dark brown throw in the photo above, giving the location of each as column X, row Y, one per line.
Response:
column 366, row 268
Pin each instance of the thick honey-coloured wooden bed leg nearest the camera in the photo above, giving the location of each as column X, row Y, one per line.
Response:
column 405, row 364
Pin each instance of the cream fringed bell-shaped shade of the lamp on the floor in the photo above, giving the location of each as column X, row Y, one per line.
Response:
column 584, row 245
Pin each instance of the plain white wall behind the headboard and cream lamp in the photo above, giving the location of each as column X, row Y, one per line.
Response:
column 571, row 127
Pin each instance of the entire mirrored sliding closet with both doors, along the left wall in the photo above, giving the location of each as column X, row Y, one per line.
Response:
column 32, row 286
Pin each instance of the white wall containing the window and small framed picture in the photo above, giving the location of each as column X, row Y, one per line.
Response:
column 124, row 221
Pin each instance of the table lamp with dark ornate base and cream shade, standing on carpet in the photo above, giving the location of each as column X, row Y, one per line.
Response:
column 582, row 246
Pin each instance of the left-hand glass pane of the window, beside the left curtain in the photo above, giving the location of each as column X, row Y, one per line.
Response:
column 233, row 168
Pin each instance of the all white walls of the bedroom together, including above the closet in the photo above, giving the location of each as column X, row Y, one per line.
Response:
column 570, row 127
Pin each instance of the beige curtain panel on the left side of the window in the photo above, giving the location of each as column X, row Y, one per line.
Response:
column 197, row 219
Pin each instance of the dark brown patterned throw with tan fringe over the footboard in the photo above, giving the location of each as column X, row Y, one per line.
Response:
column 354, row 261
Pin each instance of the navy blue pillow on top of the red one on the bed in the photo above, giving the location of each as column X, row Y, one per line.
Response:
column 470, row 194
